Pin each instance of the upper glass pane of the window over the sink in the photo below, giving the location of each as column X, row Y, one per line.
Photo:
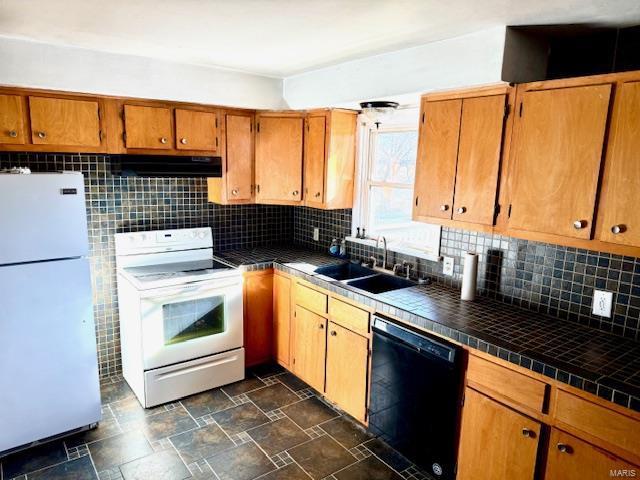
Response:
column 394, row 158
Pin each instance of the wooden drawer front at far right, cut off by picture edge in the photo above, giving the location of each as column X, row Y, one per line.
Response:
column 593, row 419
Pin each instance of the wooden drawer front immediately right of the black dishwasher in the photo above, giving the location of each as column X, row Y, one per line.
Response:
column 501, row 382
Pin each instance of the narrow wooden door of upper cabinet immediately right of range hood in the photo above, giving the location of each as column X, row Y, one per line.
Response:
column 239, row 141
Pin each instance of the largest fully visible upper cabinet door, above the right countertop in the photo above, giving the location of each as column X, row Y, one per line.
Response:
column 558, row 147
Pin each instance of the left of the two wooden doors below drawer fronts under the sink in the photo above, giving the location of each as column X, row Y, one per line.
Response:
column 309, row 347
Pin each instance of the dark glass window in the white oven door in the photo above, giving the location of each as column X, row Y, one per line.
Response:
column 191, row 319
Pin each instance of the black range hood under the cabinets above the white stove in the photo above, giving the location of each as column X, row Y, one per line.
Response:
column 165, row 166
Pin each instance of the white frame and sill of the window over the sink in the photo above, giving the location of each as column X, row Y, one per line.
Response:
column 402, row 120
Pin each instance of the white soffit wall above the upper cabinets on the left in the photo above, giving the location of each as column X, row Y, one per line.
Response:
column 38, row 65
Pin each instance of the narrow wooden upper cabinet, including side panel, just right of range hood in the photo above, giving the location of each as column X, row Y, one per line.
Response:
column 236, row 184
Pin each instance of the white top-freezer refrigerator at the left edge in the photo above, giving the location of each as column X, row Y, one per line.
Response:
column 49, row 381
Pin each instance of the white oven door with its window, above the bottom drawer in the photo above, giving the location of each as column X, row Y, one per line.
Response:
column 186, row 322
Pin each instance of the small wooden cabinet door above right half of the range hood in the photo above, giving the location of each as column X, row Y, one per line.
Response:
column 196, row 130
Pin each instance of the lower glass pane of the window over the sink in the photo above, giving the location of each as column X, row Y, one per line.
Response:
column 389, row 207
